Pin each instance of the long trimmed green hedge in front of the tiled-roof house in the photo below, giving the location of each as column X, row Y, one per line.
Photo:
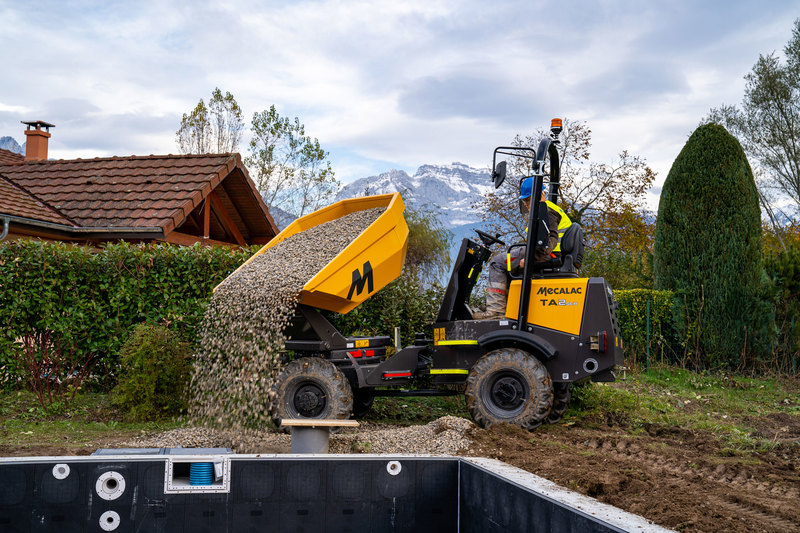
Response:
column 90, row 299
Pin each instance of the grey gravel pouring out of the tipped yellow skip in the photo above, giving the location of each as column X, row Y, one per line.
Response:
column 241, row 336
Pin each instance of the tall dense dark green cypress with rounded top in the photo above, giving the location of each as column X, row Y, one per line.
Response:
column 708, row 247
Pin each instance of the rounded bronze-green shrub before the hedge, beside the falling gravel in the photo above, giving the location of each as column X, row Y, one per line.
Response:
column 155, row 374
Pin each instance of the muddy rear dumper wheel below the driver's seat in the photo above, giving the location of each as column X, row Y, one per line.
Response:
column 509, row 386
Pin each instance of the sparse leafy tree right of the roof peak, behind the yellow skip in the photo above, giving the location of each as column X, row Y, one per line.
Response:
column 291, row 169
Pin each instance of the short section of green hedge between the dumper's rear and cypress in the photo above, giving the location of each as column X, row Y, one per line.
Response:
column 665, row 341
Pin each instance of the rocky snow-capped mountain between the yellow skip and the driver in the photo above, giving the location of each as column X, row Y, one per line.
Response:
column 452, row 188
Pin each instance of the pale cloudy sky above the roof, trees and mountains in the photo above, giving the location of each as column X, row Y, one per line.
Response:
column 383, row 83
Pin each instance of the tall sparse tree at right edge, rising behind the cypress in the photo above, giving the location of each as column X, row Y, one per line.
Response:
column 768, row 126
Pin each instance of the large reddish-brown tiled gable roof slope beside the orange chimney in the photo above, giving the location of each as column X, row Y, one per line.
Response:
column 135, row 191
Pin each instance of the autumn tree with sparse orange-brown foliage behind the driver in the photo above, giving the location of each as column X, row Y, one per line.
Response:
column 607, row 199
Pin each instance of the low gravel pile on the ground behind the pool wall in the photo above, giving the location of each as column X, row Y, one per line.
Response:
column 445, row 436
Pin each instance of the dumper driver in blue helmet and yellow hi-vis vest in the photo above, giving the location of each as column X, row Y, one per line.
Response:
column 503, row 264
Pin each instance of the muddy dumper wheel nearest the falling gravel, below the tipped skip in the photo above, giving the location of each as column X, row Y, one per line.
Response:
column 310, row 387
